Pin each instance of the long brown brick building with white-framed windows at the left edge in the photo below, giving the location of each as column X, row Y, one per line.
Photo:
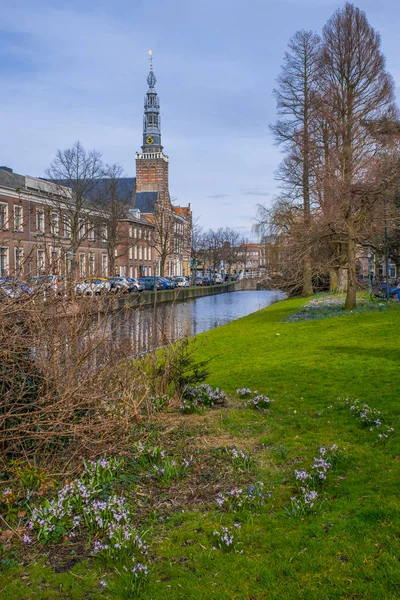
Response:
column 35, row 233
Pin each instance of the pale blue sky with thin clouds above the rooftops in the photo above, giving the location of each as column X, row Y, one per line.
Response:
column 77, row 69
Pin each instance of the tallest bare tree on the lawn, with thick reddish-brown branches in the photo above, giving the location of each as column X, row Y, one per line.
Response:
column 355, row 90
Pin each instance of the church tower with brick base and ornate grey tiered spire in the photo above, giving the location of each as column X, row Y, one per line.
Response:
column 151, row 163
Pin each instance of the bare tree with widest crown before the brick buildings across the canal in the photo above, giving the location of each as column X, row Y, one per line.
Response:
column 79, row 171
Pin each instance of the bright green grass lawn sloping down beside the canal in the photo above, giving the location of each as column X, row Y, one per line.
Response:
column 347, row 546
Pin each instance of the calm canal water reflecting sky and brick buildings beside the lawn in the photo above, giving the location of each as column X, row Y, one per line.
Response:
column 141, row 330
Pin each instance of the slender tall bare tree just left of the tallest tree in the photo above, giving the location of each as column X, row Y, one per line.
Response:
column 296, row 103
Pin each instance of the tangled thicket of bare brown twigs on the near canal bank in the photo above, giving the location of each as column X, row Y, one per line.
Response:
column 67, row 386
